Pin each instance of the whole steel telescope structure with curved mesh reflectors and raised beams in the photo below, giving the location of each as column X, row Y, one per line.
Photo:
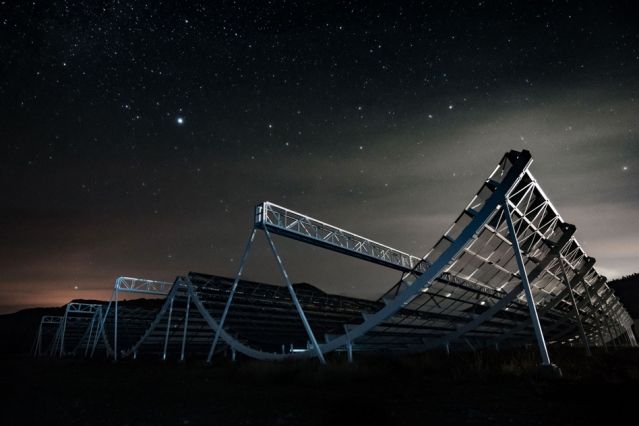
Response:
column 508, row 271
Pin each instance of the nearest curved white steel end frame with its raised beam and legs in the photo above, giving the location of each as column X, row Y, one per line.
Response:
column 295, row 225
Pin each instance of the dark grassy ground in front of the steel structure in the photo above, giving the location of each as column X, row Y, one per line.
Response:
column 468, row 388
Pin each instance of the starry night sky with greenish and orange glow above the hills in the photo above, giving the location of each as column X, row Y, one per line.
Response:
column 137, row 136
